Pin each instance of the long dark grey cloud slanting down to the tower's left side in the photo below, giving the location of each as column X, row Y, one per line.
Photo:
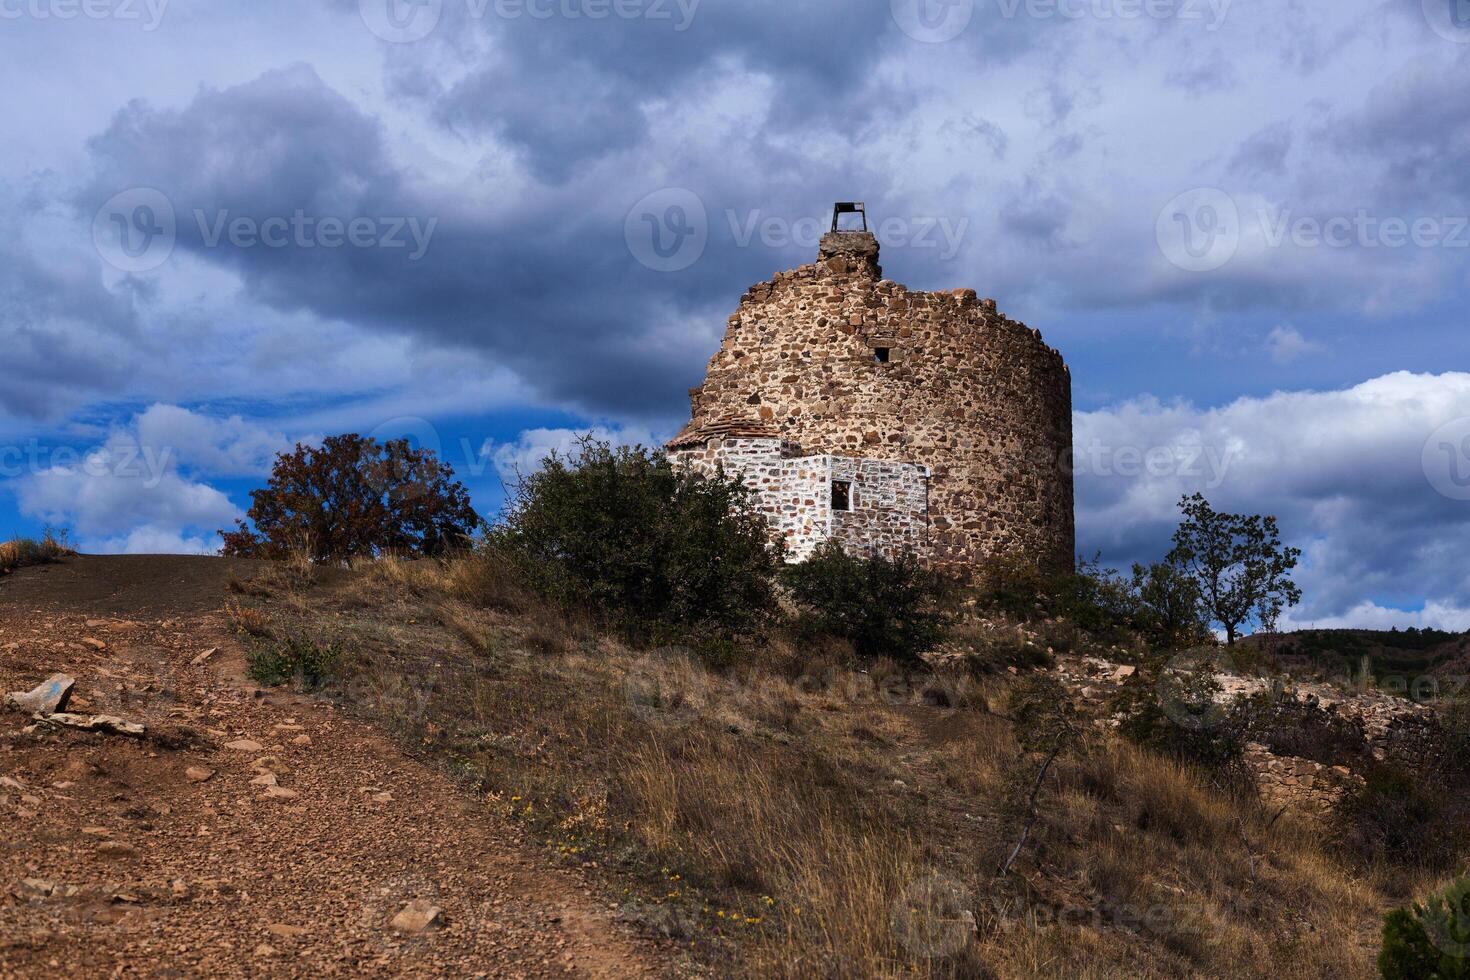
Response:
column 551, row 287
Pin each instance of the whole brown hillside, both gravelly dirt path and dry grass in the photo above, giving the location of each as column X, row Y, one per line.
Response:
column 577, row 807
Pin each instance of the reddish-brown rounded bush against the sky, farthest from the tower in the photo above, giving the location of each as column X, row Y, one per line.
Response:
column 355, row 497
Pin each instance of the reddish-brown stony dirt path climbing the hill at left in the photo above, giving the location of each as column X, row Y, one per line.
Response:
column 174, row 856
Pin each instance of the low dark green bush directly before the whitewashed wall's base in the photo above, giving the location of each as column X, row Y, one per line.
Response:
column 886, row 608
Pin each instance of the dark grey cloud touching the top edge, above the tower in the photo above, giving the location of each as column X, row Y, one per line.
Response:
column 568, row 92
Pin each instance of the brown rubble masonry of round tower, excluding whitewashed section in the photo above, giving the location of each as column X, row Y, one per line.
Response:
column 965, row 392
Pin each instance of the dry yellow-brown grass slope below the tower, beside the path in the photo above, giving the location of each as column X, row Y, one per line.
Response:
column 836, row 824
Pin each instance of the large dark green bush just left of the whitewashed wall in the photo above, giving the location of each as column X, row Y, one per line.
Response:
column 661, row 555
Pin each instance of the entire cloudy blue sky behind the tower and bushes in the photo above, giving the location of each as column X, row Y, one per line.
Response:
column 490, row 224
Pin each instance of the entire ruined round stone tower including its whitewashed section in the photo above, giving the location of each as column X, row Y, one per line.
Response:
column 887, row 419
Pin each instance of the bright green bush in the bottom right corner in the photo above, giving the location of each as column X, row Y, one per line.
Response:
column 1430, row 941
